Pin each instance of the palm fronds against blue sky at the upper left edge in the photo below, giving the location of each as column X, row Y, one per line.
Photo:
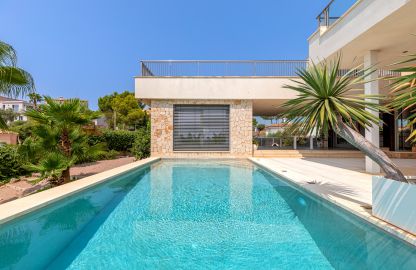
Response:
column 14, row 81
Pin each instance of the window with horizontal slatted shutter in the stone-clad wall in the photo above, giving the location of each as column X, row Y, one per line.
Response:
column 201, row 128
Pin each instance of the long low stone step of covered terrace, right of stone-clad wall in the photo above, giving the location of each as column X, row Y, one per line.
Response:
column 308, row 153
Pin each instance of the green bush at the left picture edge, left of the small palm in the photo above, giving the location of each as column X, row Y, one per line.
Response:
column 11, row 163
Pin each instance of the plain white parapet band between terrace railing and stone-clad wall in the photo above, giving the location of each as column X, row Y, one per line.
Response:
column 222, row 88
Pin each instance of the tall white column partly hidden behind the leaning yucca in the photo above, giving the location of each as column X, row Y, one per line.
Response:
column 372, row 88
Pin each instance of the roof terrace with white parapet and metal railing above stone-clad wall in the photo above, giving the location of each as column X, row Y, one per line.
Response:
column 261, row 81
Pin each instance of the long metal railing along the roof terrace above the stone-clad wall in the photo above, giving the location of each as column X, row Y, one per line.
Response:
column 221, row 68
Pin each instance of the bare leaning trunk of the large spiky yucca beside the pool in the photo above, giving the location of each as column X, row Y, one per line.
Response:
column 373, row 152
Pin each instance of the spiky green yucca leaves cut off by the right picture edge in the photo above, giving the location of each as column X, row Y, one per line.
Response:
column 404, row 92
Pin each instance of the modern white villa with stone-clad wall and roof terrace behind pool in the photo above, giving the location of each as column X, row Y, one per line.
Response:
column 205, row 108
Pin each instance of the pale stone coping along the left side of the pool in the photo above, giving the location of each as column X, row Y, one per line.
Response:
column 19, row 207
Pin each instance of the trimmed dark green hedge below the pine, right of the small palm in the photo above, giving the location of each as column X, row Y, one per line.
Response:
column 119, row 140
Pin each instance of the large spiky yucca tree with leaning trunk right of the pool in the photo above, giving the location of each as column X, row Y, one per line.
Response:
column 325, row 102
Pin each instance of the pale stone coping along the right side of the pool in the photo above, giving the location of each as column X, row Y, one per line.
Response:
column 352, row 207
